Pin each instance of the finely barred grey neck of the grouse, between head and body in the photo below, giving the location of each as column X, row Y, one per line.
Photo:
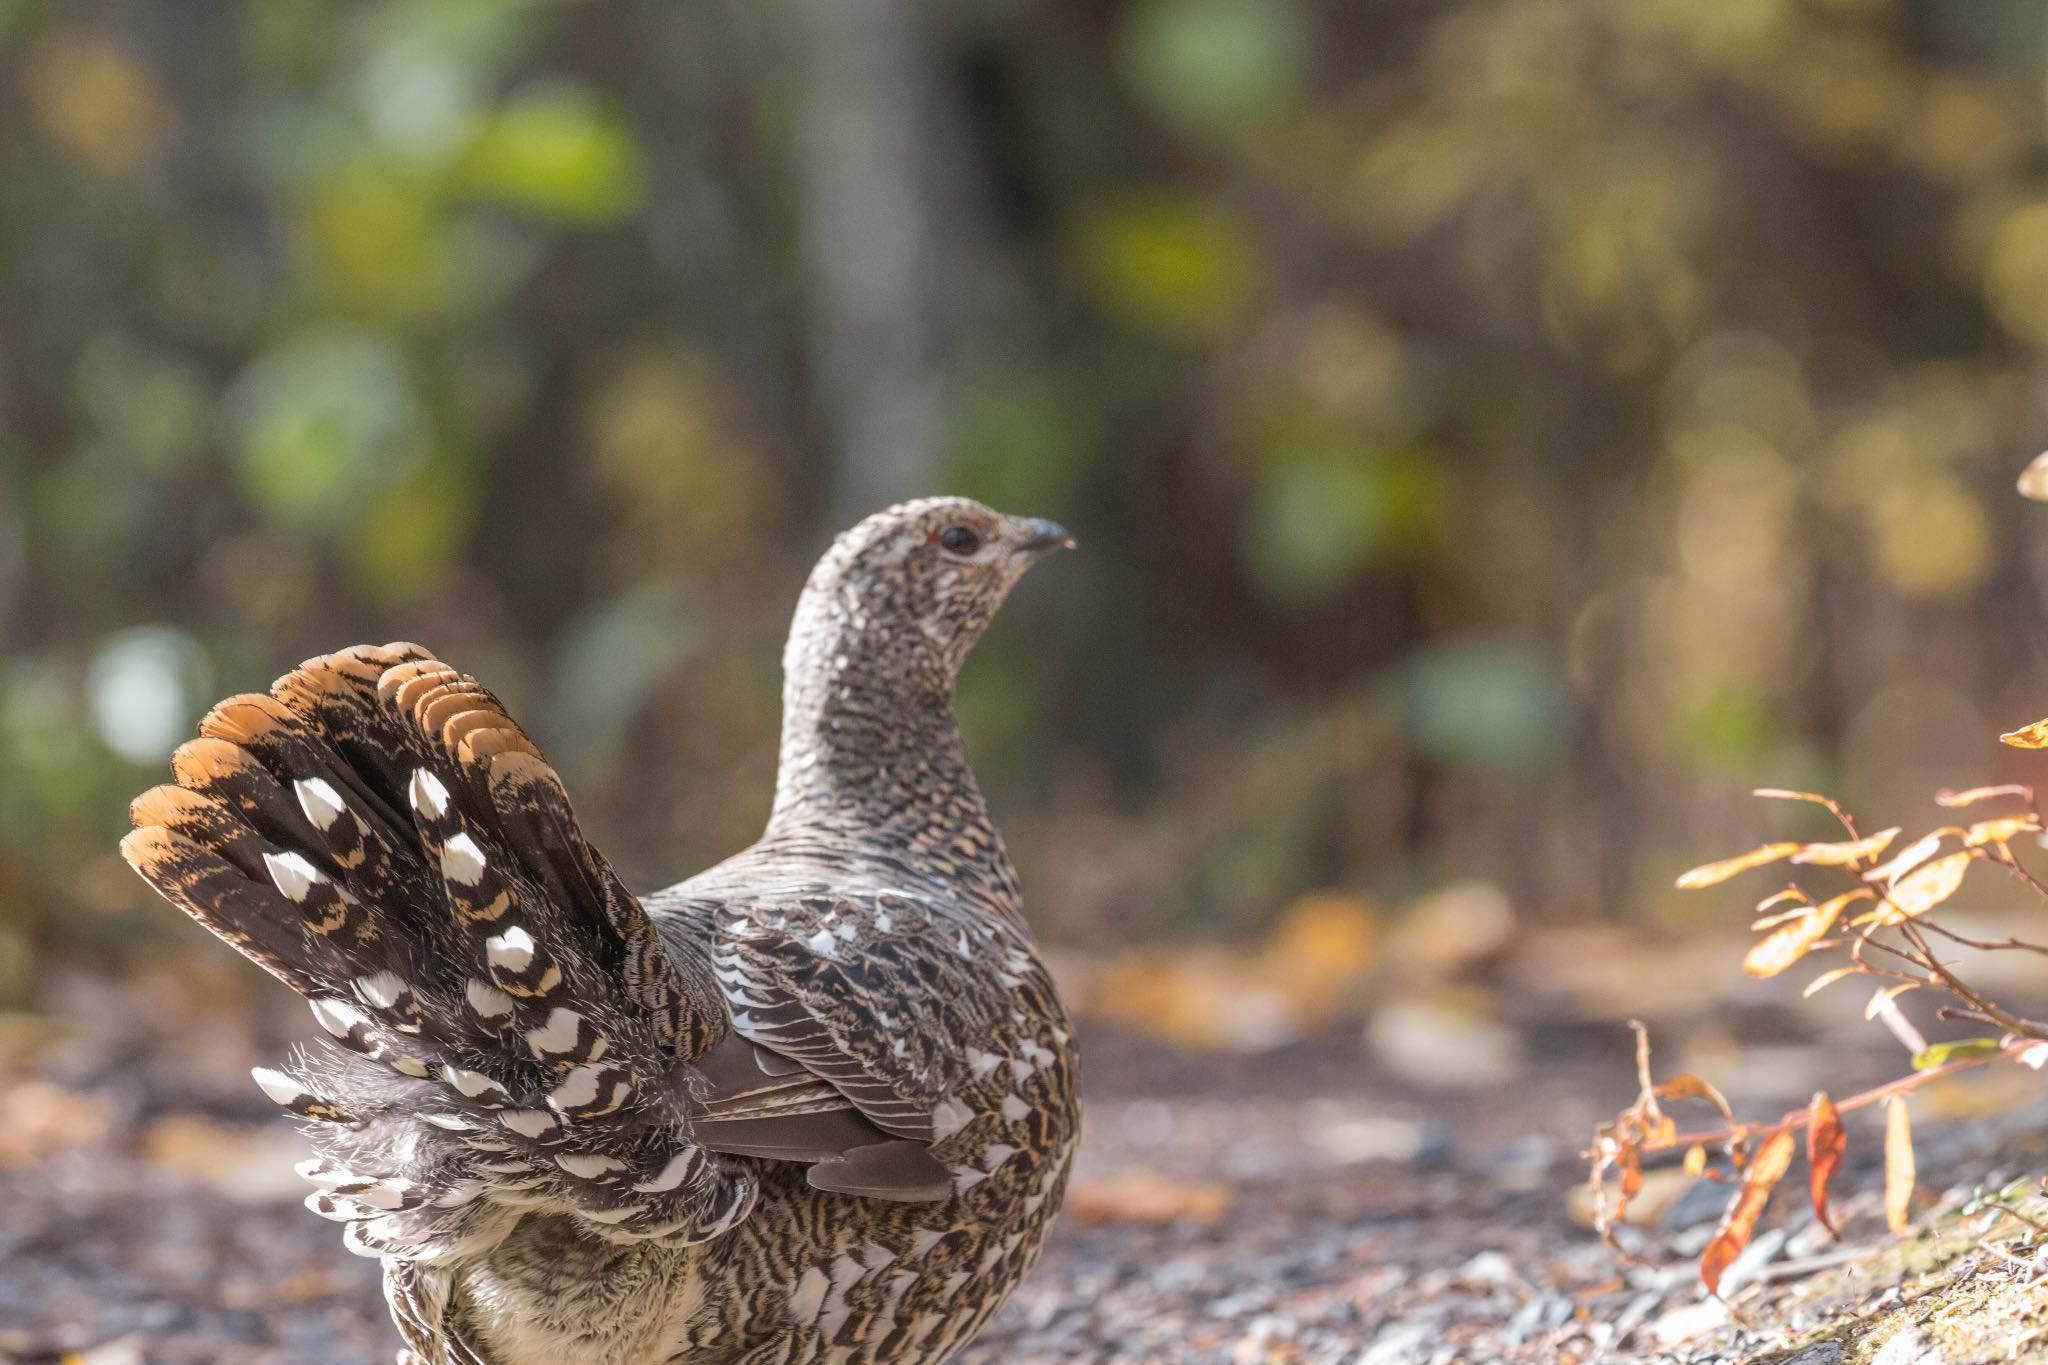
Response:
column 873, row 754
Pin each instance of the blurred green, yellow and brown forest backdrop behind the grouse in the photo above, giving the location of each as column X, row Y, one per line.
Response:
column 1500, row 433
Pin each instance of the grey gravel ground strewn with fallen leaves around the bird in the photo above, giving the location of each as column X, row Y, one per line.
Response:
column 1291, row 1208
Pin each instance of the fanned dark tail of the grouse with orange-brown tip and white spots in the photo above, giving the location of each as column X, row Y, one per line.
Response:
column 382, row 838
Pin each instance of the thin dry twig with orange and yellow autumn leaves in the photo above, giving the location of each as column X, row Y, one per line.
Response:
column 1885, row 926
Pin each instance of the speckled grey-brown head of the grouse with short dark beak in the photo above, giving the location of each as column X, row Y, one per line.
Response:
column 923, row 580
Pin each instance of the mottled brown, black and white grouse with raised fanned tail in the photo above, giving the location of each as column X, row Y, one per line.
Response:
column 816, row 1104
